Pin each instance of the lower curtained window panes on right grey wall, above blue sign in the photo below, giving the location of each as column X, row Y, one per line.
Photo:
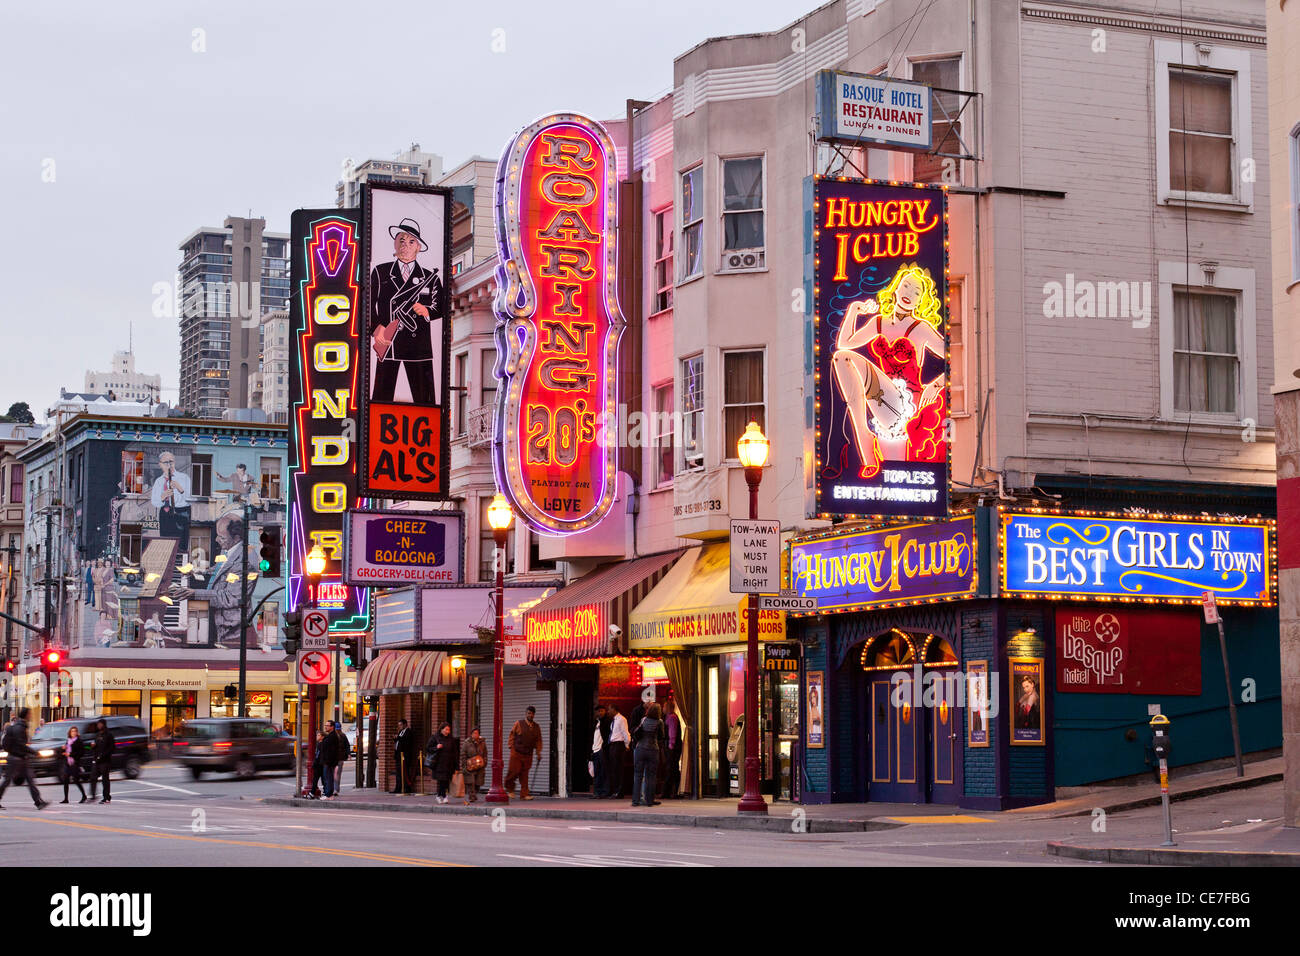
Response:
column 1206, row 353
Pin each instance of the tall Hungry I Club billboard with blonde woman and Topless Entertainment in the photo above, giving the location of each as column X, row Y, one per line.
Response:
column 881, row 258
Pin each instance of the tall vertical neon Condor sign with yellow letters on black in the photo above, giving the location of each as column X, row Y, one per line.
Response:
column 324, row 317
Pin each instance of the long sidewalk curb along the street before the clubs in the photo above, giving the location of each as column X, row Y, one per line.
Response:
column 778, row 824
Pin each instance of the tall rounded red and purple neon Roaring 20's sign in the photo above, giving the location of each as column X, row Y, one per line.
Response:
column 558, row 323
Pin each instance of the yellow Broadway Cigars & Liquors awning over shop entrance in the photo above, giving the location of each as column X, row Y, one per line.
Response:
column 694, row 605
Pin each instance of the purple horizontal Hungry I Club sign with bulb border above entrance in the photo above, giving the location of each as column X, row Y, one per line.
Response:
column 889, row 566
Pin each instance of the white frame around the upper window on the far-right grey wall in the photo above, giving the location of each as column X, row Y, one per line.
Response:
column 1221, row 60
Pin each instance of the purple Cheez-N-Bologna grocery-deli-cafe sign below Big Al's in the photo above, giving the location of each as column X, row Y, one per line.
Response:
column 389, row 550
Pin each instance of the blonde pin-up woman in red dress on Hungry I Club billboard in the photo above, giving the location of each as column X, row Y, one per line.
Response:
column 878, row 367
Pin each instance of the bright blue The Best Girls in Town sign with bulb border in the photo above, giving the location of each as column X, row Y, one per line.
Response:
column 1154, row 560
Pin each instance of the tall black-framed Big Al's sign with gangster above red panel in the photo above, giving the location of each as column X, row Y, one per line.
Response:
column 406, row 343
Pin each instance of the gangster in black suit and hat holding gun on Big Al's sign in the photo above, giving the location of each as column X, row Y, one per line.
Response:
column 405, row 321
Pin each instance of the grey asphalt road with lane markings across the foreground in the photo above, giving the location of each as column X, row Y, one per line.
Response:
column 167, row 819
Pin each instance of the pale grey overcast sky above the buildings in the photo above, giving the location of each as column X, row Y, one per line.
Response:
column 123, row 131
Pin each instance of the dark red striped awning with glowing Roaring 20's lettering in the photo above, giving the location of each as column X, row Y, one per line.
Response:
column 574, row 622
